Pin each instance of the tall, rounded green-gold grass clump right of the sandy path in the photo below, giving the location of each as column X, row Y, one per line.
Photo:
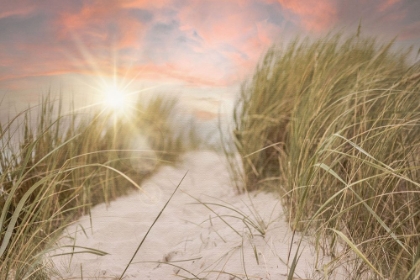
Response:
column 334, row 125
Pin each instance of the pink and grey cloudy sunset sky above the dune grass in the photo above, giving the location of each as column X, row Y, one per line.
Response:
column 80, row 45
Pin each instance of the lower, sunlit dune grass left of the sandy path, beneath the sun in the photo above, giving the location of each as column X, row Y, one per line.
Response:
column 54, row 168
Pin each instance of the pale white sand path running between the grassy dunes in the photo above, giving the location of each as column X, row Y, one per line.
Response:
column 189, row 240
